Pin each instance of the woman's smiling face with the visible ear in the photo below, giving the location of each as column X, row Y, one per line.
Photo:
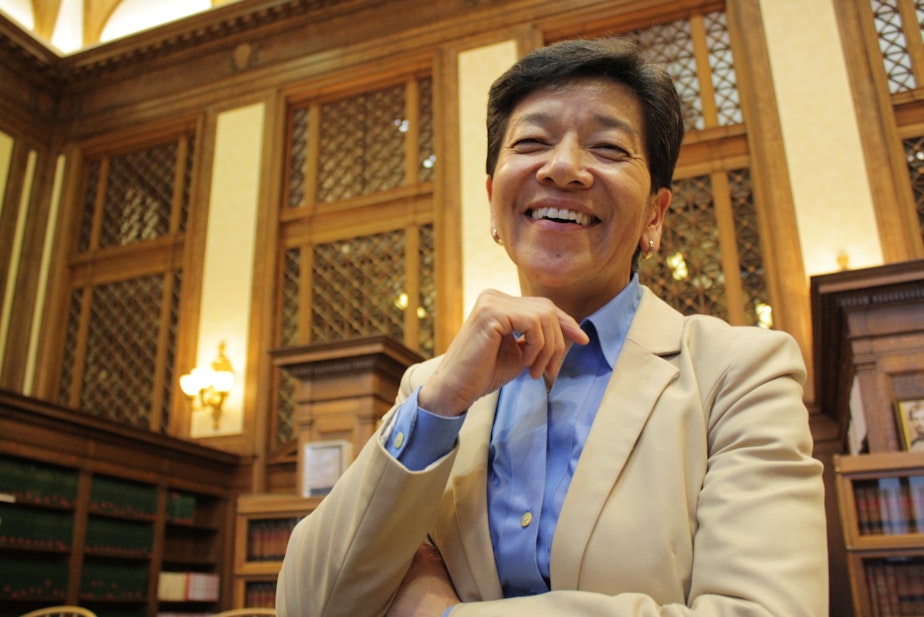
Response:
column 571, row 194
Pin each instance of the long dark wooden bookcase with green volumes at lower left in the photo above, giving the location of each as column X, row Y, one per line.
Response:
column 104, row 516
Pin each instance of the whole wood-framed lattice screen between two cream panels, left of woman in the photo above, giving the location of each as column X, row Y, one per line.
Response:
column 345, row 153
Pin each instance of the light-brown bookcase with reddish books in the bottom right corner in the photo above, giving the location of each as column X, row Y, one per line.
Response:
column 882, row 510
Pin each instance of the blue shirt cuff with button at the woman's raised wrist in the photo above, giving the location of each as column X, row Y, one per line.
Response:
column 418, row 437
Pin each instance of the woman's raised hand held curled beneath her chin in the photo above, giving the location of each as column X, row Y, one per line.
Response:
column 502, row 336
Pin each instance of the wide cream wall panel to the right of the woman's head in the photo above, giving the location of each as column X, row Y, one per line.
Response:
column 831, row 193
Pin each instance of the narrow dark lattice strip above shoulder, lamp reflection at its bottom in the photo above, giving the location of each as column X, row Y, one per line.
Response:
column 750, row 257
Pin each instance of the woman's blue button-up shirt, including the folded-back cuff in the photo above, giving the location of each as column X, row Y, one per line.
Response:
column 537, row 438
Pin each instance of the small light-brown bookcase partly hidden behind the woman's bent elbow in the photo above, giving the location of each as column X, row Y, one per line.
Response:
column 264, row 523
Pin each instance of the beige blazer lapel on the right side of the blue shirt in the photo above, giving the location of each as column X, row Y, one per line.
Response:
column 639, row 377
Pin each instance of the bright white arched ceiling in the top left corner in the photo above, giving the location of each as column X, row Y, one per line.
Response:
column 71, row 25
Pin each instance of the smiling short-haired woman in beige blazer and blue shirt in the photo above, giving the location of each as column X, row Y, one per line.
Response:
column 582, row 449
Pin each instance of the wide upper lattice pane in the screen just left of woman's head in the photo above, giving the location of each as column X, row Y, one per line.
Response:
column 362, row 144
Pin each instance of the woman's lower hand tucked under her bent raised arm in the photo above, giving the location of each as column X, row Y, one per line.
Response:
column 426, row 590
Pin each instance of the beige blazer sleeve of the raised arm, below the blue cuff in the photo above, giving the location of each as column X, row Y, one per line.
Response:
column 348, row 557
